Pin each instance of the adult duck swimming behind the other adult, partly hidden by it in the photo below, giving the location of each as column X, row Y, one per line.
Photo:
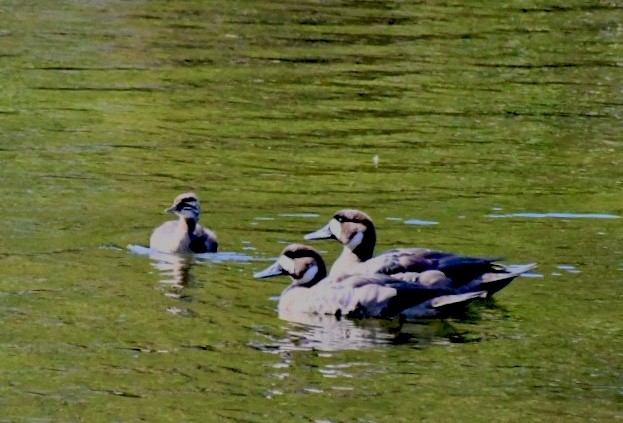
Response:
column 355, row 230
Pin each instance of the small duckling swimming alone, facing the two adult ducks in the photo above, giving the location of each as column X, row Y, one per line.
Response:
column 184, row 235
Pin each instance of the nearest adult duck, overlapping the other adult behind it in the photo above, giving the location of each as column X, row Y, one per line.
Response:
column 312, row 292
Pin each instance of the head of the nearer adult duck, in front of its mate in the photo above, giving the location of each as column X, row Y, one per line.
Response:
column 302, row 263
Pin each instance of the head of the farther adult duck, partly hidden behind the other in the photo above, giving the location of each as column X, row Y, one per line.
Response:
column 353, row 228
